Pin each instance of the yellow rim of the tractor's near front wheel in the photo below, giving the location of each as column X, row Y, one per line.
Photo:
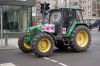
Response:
column 44, row 45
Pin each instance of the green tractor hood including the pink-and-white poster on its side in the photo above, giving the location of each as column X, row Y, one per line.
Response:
column 40, row 28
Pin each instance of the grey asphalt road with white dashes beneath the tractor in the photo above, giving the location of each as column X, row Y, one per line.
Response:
column 91, row 57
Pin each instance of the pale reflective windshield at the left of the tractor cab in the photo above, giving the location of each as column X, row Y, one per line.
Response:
column 55, row 17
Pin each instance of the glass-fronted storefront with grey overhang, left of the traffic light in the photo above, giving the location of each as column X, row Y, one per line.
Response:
column 15, row 15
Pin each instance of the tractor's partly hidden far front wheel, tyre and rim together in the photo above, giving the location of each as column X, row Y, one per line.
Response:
column 23, row 46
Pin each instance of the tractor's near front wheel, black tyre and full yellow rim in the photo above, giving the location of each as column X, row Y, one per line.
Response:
column 42, row 45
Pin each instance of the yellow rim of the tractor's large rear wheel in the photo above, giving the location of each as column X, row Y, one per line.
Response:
column 82, row 38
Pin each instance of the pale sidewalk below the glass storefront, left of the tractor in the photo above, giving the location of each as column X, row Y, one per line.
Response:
column 12, row 44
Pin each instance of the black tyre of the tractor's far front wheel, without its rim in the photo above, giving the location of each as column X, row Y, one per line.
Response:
column 21, row 45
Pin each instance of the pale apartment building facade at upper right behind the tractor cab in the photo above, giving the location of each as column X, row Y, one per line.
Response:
column 91, row 8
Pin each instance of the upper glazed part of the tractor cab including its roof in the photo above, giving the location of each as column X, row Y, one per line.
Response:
column 63, row 16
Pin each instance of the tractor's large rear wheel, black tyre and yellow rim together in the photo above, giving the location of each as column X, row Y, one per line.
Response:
column 80, row 39
